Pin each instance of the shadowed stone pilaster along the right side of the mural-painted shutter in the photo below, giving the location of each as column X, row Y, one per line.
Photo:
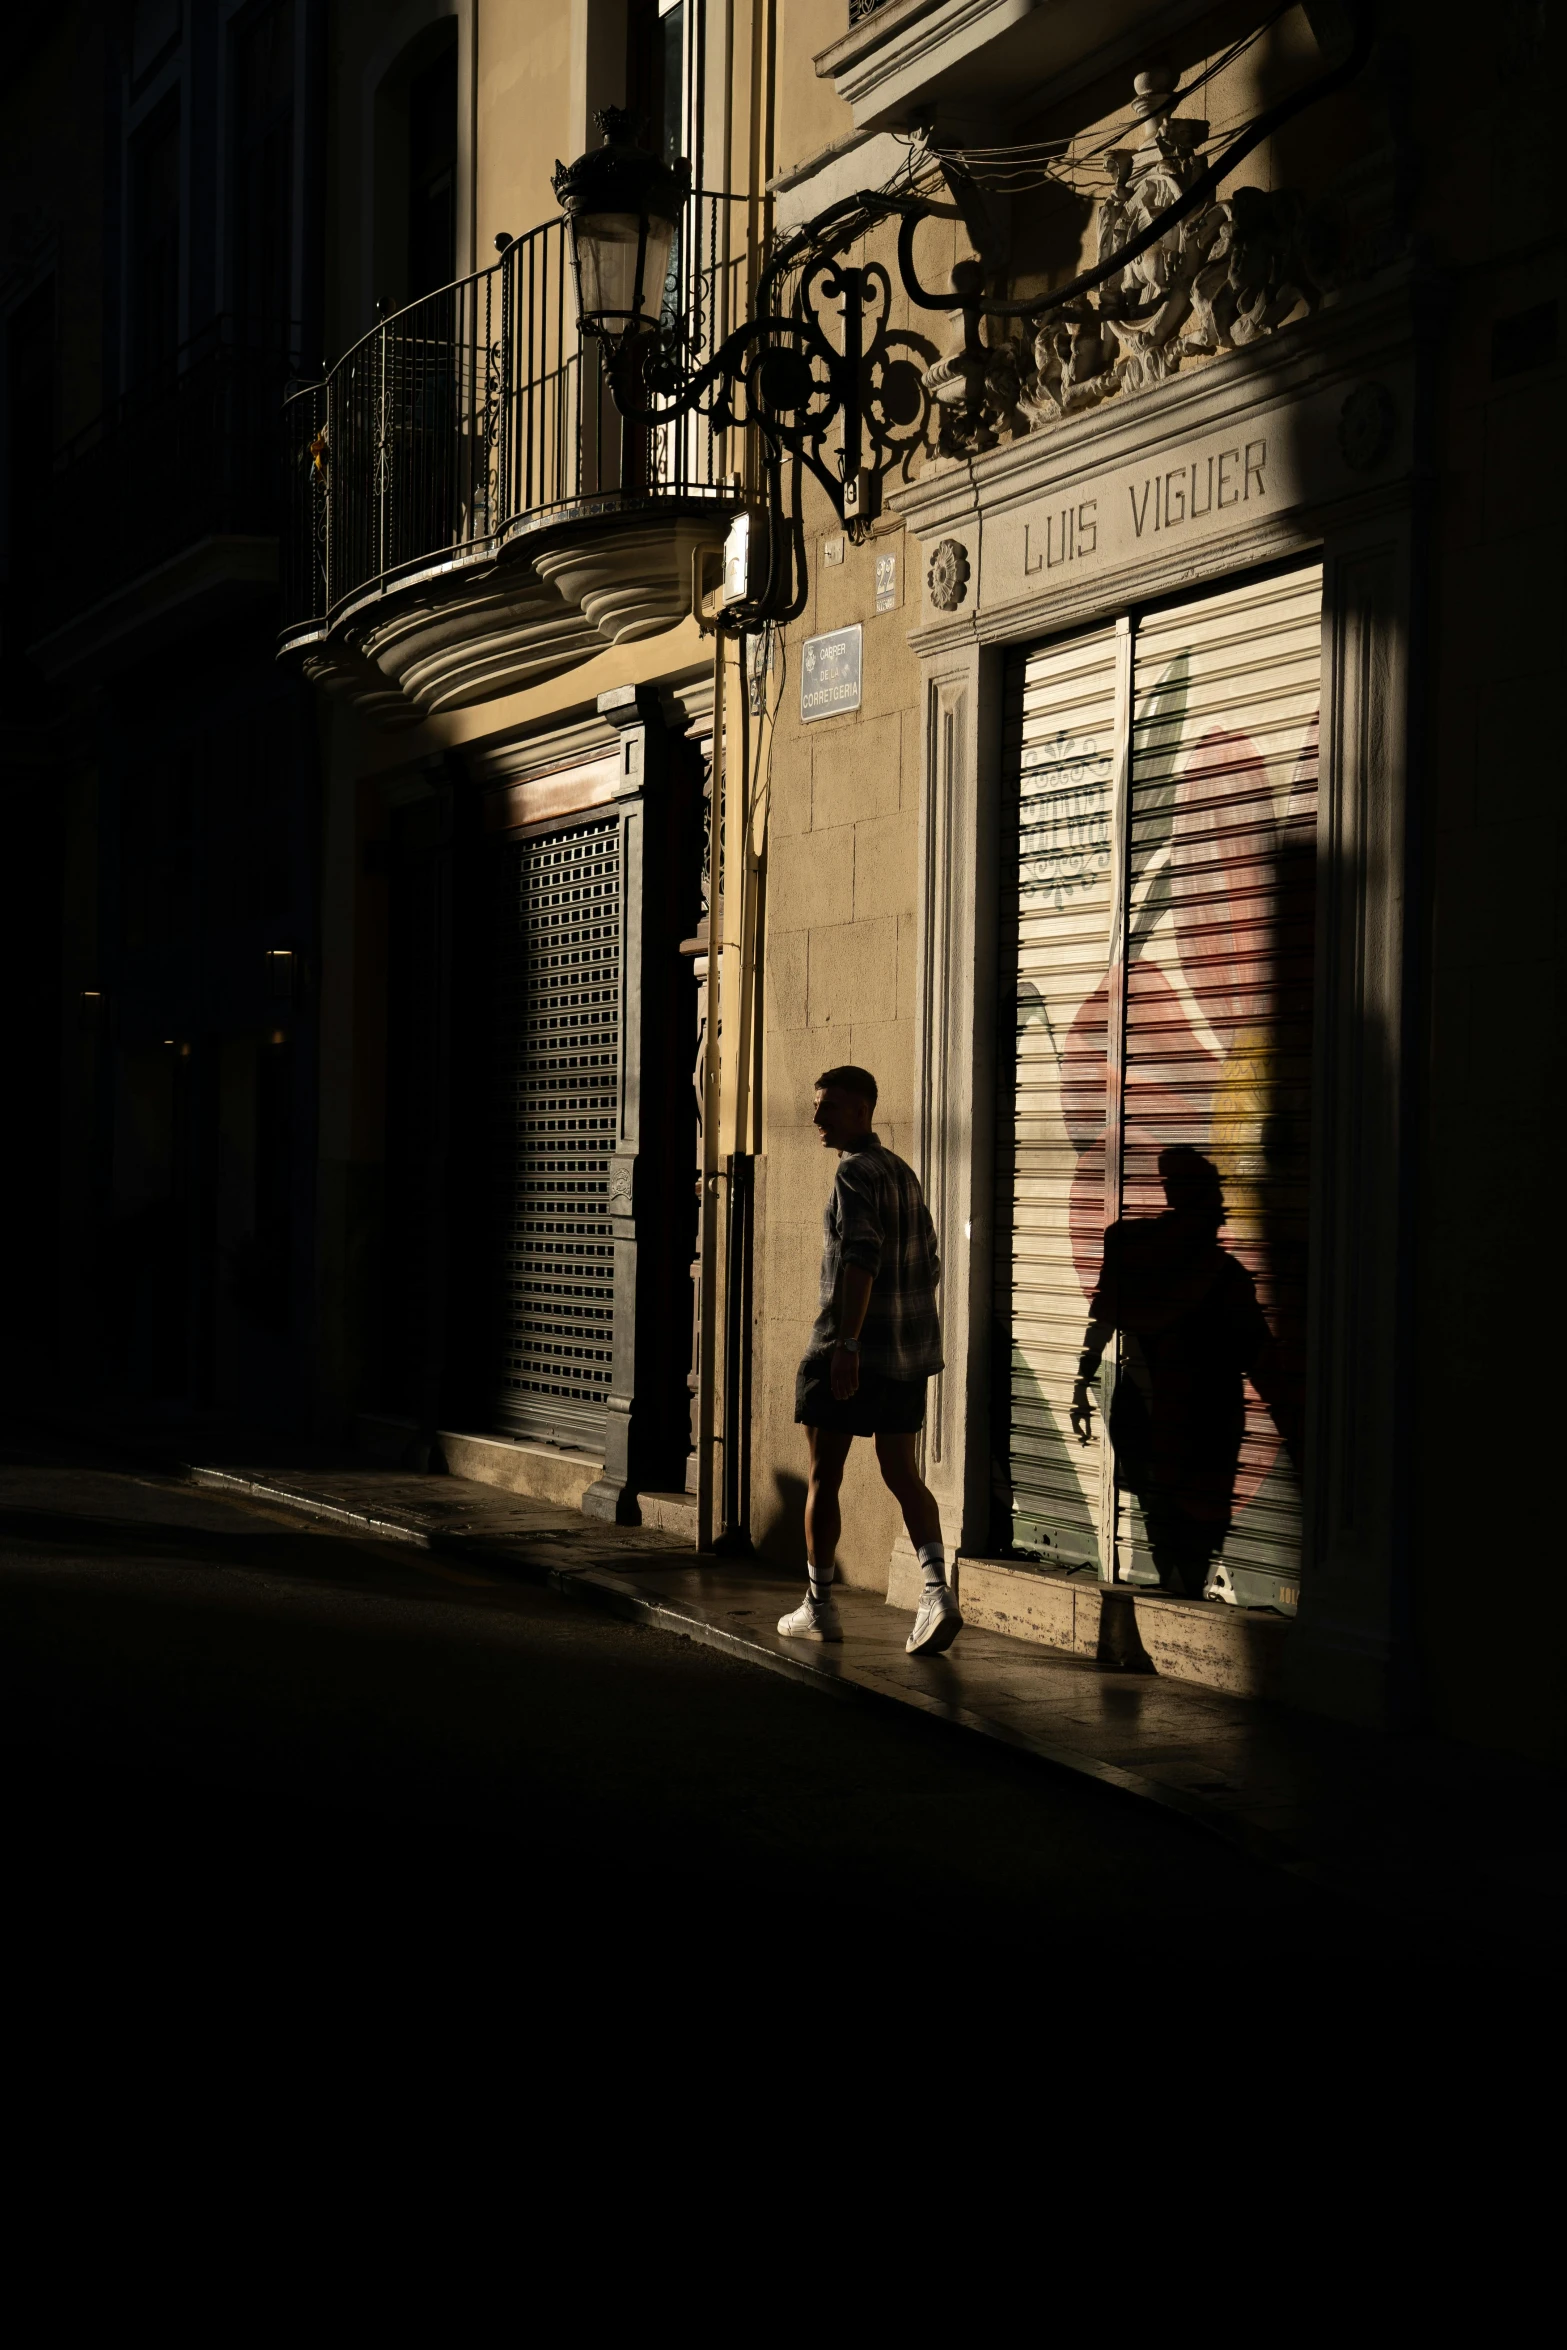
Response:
column 1357, row 1411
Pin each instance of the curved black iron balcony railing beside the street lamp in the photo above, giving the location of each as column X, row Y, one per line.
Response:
column 480, row 415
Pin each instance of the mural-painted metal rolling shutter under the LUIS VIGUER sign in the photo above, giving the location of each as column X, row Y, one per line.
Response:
column 1204, row 1038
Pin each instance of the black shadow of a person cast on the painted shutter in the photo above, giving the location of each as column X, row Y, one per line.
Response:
column 1195, row 1334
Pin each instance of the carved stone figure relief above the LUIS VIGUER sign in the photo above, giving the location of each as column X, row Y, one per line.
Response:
column 1230, row 274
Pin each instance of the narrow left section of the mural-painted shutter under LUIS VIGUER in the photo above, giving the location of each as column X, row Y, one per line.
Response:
column 1051, row 1164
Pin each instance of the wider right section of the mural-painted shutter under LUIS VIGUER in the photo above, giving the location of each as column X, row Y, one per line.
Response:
column 1218, row 1040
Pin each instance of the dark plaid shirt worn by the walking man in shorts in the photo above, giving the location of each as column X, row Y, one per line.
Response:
column 877, row 1218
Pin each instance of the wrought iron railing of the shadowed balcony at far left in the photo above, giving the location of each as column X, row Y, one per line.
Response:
column 189, row 457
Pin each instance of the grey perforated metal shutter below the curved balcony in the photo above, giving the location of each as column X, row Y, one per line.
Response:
column 558, row 1023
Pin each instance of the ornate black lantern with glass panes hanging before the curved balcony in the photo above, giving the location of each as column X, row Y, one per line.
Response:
column 621, row 208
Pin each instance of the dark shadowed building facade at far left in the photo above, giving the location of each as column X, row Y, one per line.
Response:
column 161, row 774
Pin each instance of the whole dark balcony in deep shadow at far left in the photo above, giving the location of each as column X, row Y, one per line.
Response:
column 163, row 504
